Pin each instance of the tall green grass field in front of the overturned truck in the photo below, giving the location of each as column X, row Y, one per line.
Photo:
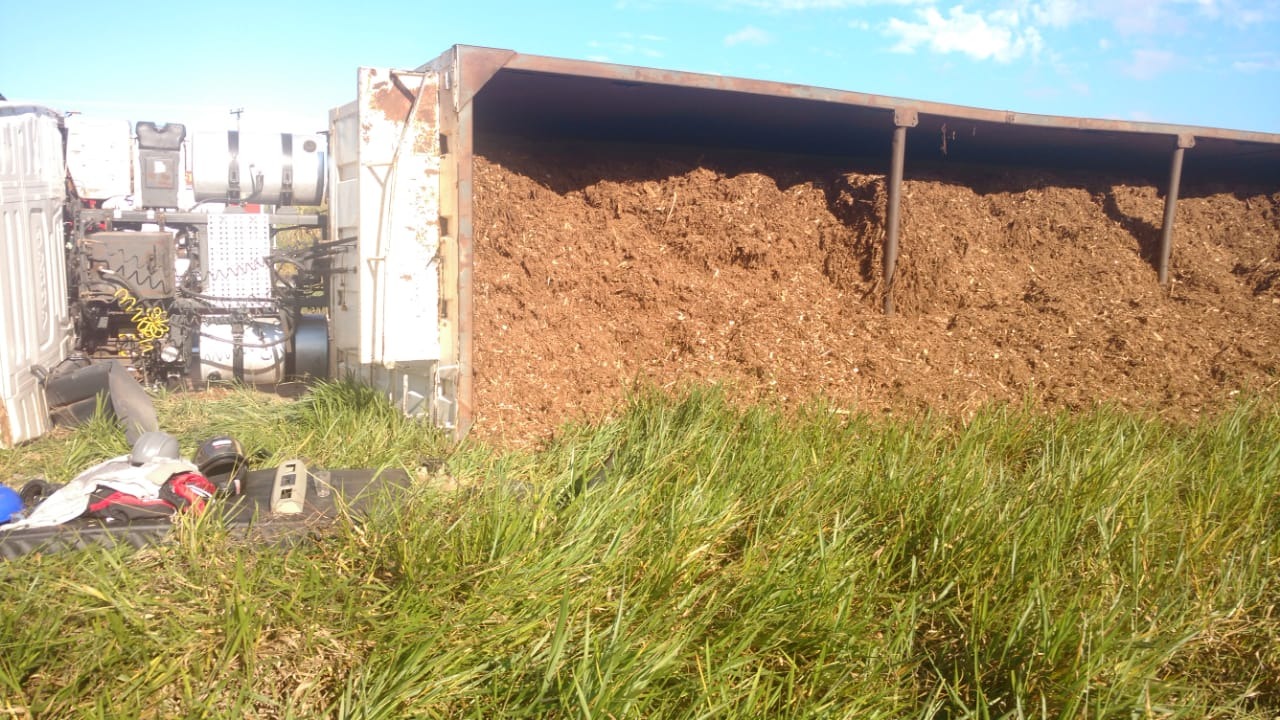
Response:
column 688, row 560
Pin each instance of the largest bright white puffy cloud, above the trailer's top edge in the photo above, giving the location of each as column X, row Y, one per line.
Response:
column 994, row 37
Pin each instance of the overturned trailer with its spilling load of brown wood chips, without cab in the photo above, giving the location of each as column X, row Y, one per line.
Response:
column 566, row 230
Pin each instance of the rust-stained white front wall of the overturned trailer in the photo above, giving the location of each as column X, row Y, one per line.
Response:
column 386, row 197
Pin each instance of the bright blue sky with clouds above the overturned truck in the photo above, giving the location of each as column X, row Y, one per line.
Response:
column 1190, row 62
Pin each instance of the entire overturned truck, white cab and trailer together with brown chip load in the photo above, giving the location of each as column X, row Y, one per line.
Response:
column 514, row 241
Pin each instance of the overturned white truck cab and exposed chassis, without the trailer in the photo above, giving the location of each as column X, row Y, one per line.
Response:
column 135, row 253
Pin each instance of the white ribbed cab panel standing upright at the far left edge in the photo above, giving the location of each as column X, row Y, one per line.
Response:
column 35, row 326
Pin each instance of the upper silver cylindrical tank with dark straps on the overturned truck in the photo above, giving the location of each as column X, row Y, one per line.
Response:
column 258, row 167
